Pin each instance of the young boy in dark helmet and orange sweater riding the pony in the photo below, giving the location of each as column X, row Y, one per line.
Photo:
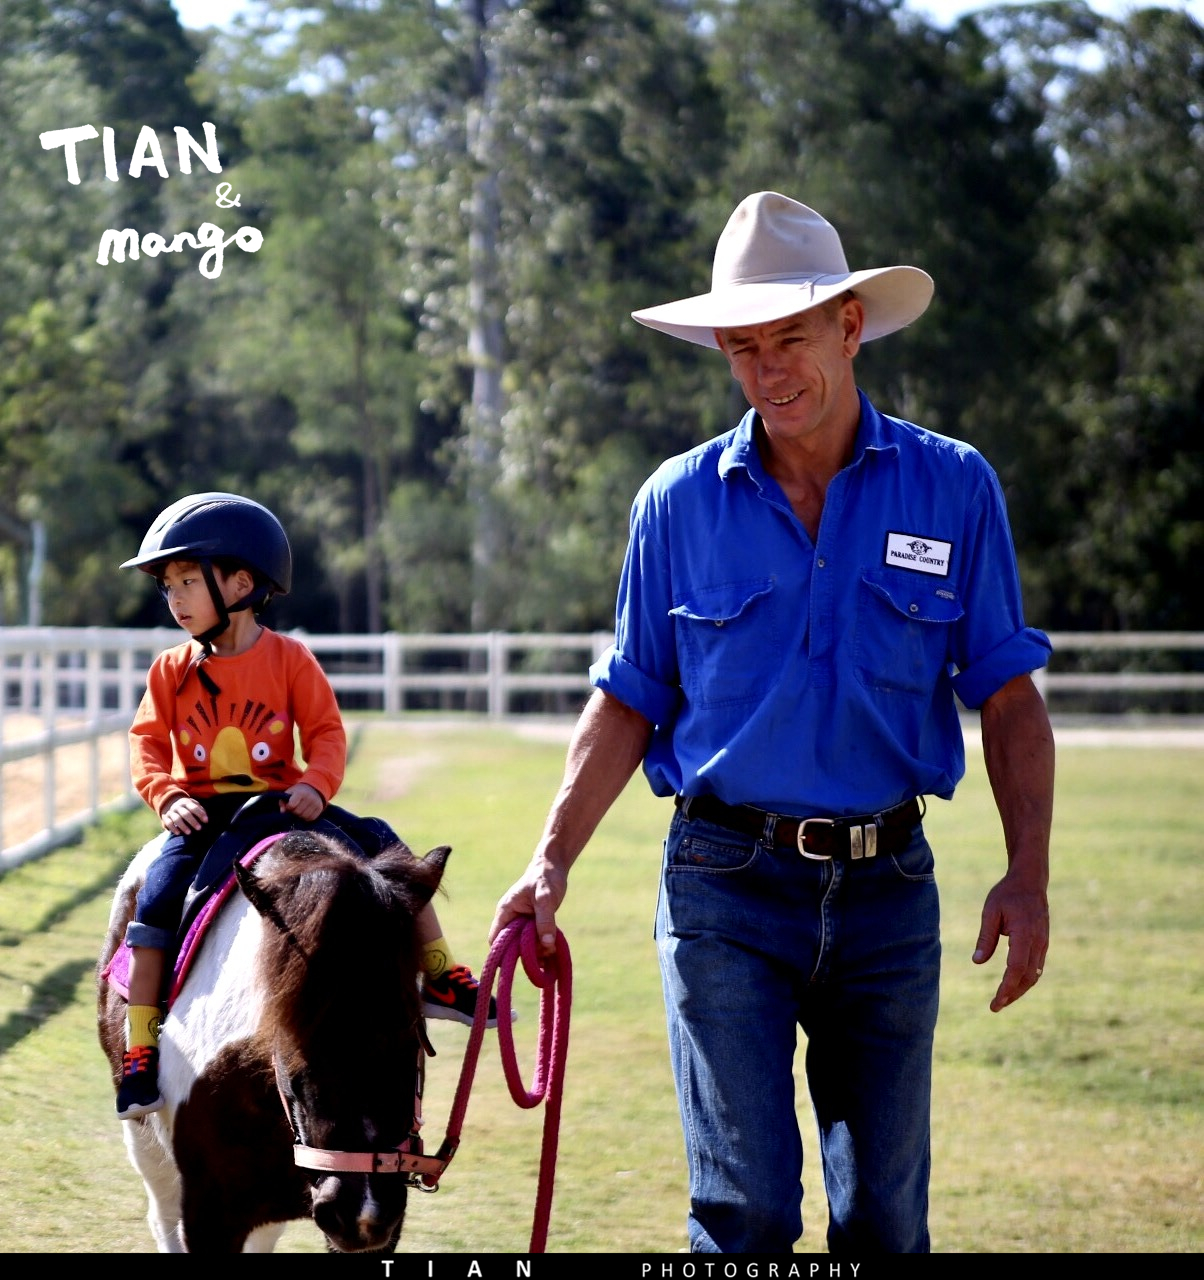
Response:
column 217, row 725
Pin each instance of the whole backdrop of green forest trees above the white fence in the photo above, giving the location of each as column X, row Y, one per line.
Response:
column 429, row 369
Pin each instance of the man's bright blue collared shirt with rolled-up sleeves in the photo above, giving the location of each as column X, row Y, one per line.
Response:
column 817, row 679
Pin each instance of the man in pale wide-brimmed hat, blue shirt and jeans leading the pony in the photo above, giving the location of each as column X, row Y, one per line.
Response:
column 800, row 602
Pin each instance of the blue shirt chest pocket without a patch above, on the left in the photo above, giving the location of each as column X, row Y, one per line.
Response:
column 729, row 643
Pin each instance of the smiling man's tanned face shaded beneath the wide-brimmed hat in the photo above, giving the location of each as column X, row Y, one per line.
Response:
column 798, row 373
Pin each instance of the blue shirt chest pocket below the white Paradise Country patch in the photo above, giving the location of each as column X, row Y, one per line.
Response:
column 903, row 638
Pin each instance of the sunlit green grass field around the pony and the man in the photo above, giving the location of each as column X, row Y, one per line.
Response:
column 1070, row 1123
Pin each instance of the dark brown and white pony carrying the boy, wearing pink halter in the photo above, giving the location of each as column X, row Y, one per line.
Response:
column 299, row 1028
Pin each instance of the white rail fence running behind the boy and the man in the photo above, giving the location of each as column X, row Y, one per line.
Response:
column 79, row 688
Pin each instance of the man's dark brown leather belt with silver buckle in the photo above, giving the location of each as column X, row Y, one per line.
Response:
column 822, row 839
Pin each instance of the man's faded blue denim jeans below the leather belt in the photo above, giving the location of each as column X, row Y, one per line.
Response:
column 756, row 943
